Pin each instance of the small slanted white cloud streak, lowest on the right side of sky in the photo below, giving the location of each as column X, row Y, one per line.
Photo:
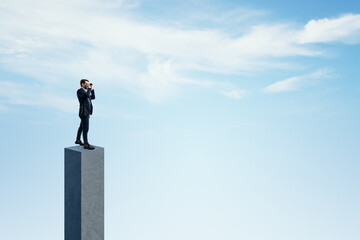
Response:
column 295, row 83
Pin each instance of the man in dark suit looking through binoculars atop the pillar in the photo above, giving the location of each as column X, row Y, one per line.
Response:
column 85, row 94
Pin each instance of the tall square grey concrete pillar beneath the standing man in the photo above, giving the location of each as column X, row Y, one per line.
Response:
column 84, row 193
